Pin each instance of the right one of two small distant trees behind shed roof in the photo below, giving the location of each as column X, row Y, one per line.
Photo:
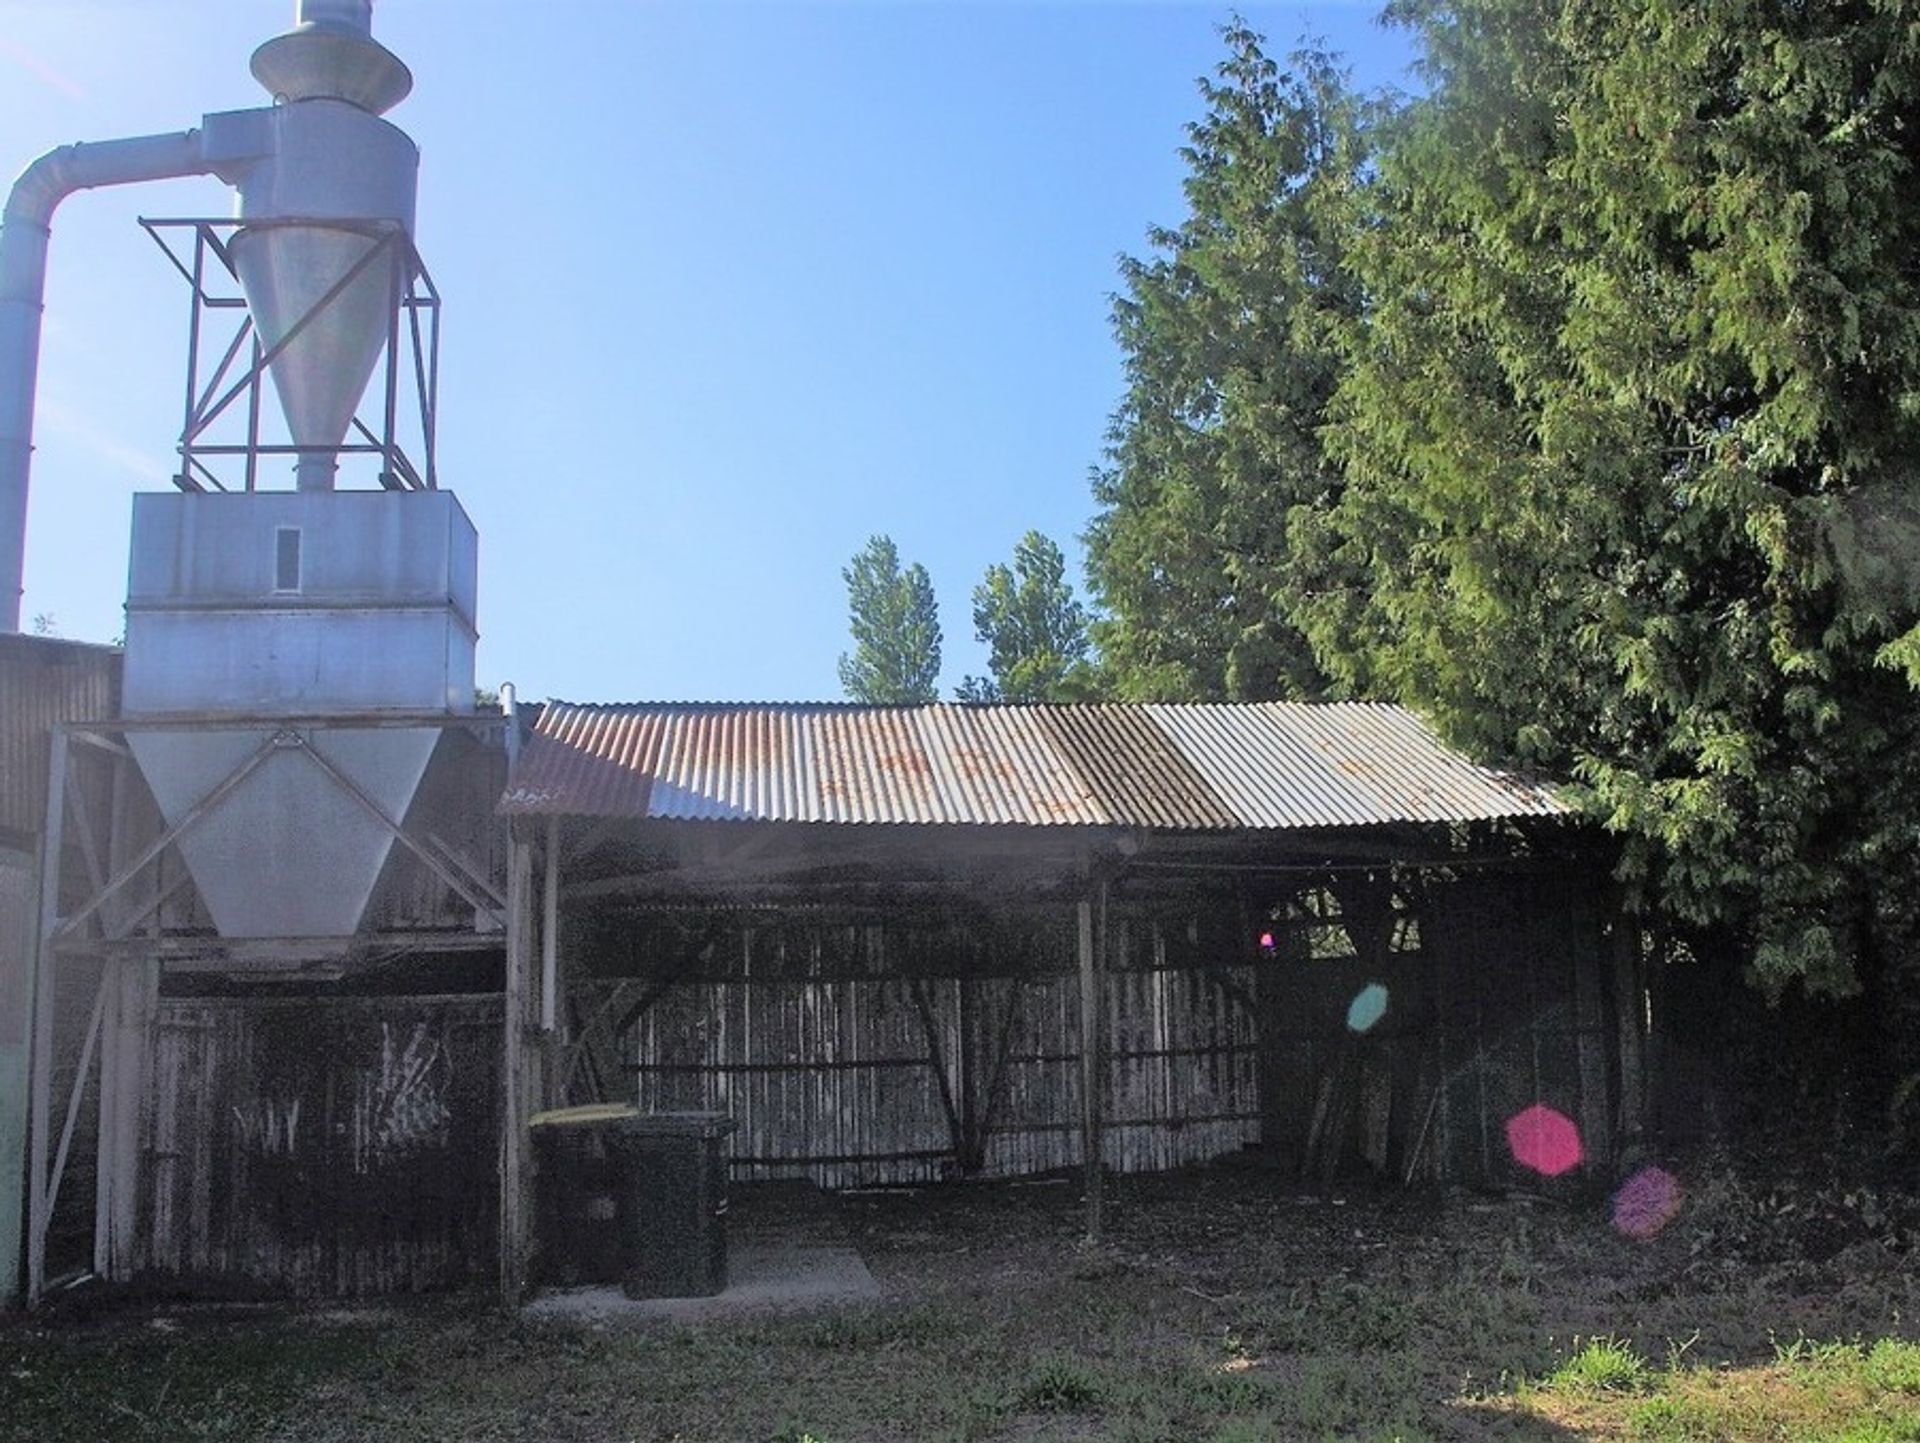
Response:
column 1034, row 628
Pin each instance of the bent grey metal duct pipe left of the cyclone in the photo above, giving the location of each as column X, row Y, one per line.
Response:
column 24, row 239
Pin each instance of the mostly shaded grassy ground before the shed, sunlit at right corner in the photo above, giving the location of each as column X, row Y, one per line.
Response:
column 1218, row 1312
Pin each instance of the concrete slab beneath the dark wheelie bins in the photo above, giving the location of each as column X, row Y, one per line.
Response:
column 773, row 1277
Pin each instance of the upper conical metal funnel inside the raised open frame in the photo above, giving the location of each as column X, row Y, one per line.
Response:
column 287, row 273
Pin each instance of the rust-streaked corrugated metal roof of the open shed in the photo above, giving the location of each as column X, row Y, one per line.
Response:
column 1184, row 769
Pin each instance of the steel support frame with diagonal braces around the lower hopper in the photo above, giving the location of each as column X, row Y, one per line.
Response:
column 124, row 1005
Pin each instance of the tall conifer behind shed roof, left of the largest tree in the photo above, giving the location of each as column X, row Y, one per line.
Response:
column 1230, row 364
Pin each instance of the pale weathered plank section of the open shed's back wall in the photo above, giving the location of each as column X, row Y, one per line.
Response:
column 915, row 1074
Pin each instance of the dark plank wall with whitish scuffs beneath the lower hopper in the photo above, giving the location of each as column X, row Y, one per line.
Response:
column 324, row 1147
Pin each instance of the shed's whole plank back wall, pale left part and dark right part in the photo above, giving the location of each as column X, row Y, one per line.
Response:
column 911, row 1051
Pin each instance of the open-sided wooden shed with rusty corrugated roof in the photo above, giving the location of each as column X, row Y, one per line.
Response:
column 948, row 941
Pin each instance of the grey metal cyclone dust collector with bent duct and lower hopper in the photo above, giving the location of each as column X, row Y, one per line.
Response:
column 279, row 638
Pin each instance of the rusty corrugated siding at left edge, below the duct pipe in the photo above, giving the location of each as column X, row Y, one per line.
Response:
column 45, row 682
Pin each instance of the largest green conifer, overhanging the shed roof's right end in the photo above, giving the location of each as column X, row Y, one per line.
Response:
column 1629, row 429
